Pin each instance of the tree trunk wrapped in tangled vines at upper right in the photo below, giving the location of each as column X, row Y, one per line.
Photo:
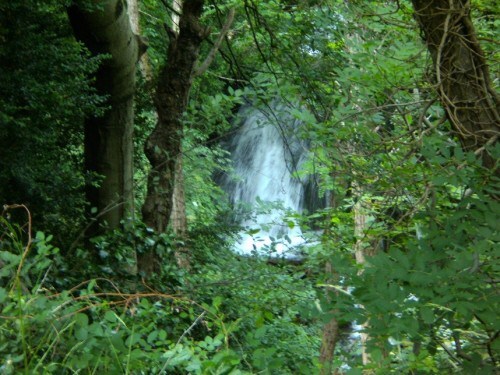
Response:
column 461, row 73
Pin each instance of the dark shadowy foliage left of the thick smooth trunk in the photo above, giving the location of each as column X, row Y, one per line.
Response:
column 44, row 94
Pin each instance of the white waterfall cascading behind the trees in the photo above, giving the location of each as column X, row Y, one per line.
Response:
column 266, row 152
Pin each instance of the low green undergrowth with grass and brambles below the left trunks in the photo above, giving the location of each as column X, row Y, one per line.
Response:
column 233, row 316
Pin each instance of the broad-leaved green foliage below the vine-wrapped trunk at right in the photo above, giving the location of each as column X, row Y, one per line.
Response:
column 436, row 295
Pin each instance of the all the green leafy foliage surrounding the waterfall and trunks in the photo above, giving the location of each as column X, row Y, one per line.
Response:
column 380, row 147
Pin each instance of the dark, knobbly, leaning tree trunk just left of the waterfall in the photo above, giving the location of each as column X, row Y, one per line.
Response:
column 164, row 144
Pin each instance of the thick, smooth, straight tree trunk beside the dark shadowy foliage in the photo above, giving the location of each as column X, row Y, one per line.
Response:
column 108, row 145
